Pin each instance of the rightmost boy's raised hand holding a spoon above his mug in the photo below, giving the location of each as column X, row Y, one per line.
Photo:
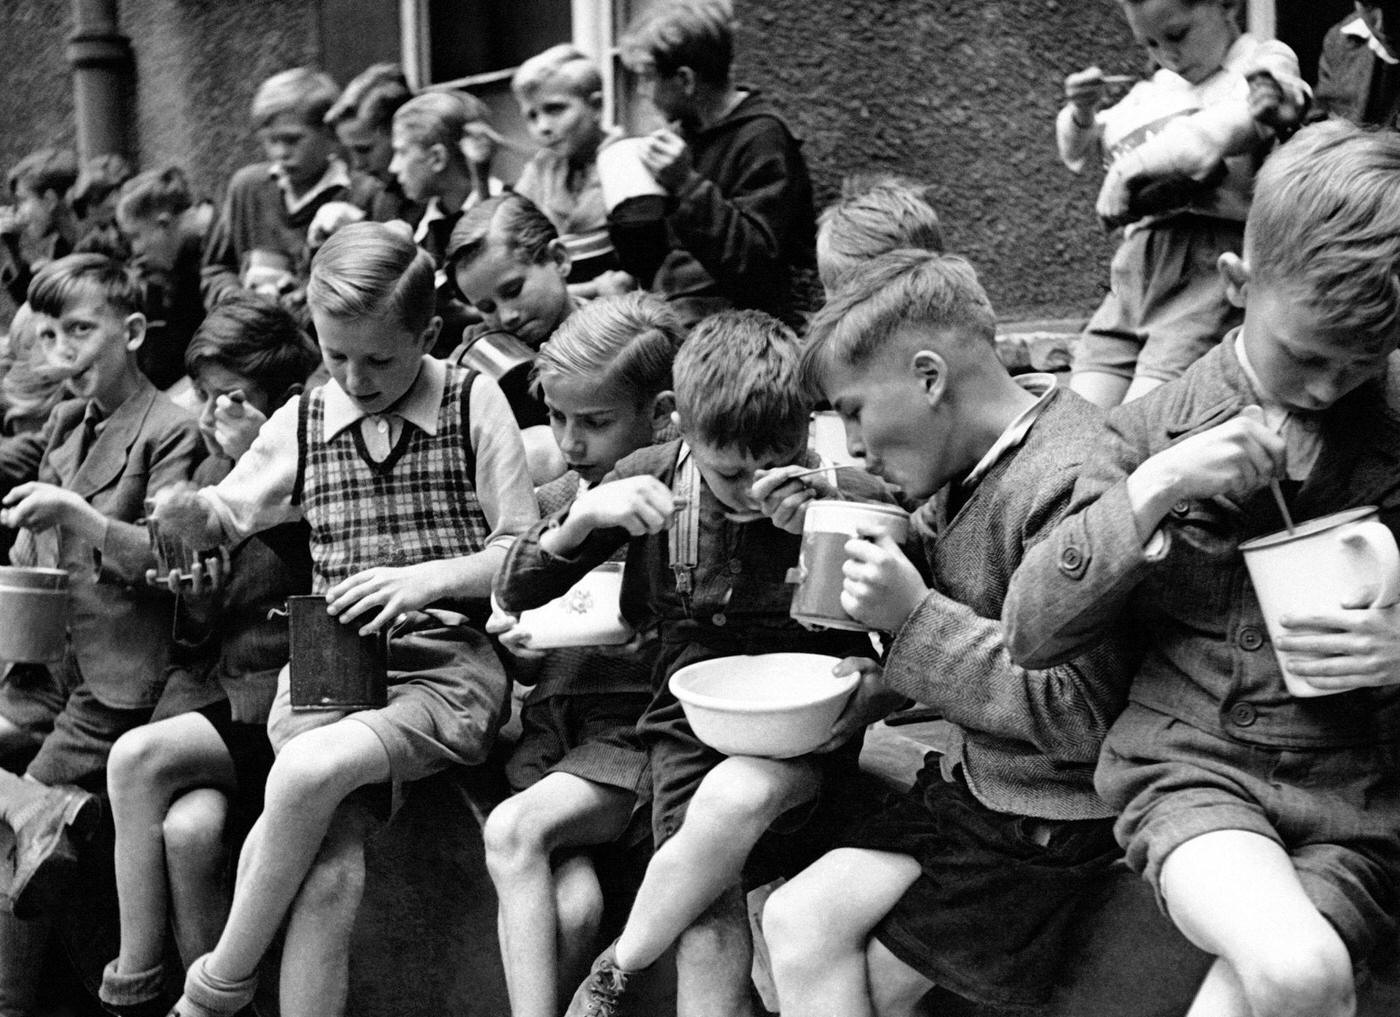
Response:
column 1231, row 460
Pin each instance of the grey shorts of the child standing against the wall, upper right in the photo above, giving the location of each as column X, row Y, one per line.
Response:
column 1167, row 305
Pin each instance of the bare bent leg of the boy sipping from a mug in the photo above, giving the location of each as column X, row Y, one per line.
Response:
column 820, row 924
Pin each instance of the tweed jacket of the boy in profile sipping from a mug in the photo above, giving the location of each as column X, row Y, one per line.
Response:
column 1028, row 740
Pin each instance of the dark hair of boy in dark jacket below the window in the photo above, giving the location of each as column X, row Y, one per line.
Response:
column 695, row 34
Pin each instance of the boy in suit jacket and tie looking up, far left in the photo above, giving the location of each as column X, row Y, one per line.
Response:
column 107, row 452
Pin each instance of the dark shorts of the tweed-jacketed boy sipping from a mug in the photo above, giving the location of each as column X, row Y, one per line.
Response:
column 992, row 910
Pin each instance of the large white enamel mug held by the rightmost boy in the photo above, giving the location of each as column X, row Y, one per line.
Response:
column 1324, row 564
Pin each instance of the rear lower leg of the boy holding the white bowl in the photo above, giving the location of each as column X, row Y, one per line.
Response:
column 715, row 962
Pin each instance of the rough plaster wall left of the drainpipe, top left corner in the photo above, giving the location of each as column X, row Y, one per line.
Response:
column 37, row 99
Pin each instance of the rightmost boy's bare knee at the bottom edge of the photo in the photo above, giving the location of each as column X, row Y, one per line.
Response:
column 1307, row 980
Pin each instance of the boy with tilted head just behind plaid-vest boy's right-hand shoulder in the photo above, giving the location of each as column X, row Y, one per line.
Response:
column 510, row 265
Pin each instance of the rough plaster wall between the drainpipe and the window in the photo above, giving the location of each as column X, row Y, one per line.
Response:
column 198, row 64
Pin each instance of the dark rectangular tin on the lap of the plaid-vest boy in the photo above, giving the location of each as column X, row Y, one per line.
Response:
column 332, row 666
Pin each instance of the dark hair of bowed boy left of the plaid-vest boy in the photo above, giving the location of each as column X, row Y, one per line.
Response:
column 255, row 337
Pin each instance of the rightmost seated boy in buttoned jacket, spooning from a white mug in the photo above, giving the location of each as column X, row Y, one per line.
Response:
column 1269, row 826
